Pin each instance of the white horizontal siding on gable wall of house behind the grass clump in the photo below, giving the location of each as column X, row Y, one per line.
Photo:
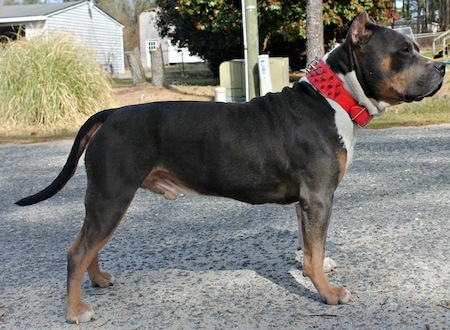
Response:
column 103, row 33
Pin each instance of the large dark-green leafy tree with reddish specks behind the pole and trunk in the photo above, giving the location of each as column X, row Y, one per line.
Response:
column 212, row 29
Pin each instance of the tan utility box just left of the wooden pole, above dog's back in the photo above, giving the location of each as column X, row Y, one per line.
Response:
column 232, row 78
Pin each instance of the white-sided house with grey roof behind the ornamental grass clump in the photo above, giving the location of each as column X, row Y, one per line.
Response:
column 83, row 18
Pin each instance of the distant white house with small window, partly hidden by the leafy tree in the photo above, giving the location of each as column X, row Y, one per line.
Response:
column 150, row 39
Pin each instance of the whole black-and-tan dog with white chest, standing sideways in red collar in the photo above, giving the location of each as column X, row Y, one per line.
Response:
column 291, row 147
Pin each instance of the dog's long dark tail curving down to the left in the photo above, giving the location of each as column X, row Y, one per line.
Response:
column 79, row 145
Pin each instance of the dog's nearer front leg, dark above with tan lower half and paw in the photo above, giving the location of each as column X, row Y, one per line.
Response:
column 314, row 211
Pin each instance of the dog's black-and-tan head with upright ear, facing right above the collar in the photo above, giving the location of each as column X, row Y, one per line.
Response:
column 388, row 65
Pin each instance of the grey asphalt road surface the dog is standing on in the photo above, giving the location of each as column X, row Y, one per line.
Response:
column 212, row 263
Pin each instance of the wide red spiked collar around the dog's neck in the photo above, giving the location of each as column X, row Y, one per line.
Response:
column 331, row 86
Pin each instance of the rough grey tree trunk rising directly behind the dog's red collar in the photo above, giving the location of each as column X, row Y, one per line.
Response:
column 314, row 30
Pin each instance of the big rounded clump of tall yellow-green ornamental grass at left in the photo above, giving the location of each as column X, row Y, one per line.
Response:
column 50, row 81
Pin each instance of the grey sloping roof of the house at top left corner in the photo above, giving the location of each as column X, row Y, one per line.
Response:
column 17, row 11
